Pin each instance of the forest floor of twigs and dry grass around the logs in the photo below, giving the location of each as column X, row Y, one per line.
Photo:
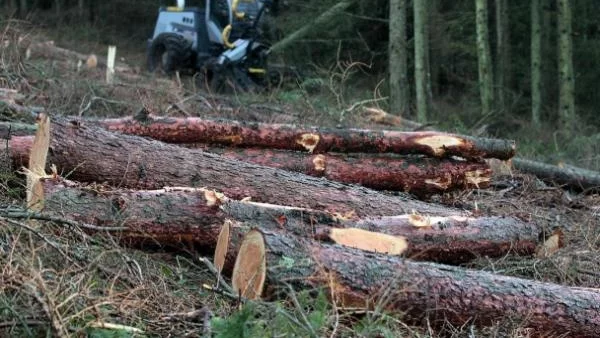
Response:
column 58, row 279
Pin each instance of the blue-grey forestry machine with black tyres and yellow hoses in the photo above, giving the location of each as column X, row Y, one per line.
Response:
column 220, row 41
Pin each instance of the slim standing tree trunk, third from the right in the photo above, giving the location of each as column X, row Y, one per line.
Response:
column 503, row 62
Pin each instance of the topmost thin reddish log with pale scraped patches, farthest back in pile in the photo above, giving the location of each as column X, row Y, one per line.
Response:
column 308, row 139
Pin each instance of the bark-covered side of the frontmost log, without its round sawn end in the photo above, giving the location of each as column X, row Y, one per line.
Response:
column 440, row 293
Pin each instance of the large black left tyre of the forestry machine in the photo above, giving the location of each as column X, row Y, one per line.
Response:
column 168, row 53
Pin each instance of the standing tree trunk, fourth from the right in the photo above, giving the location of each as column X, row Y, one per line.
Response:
column 486, row 80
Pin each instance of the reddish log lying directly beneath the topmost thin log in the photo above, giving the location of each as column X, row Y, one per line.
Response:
column 414, row 174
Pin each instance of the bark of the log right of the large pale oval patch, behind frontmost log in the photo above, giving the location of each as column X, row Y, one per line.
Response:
column 457, row 239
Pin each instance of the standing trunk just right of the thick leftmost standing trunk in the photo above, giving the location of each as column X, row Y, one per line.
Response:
column 421, row 68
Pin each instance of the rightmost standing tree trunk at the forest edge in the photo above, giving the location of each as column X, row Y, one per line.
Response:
column 565, row 63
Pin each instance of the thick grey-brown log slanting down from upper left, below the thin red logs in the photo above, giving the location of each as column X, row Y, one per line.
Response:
column 92, row 154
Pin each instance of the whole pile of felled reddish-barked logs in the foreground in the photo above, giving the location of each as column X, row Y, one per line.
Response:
column 284, row 225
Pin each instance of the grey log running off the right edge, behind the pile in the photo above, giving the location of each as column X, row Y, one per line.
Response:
column 573, row 177
